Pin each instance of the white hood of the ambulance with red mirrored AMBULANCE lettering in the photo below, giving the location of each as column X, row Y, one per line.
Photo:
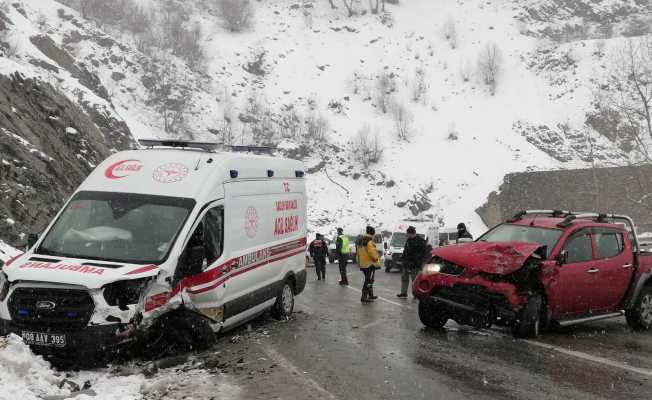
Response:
column 75, row 271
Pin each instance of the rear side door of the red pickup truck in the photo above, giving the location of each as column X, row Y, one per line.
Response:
column 613, row 268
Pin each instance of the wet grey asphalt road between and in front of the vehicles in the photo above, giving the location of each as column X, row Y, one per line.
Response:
column 334, row 347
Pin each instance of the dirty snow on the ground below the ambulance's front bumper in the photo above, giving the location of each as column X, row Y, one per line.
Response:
column 28, row 377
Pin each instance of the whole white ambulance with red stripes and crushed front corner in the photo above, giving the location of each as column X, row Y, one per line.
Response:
column 175, row 229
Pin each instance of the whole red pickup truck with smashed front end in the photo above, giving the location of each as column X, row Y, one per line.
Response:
column 540, row 268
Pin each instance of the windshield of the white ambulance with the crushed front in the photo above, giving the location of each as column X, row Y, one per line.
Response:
column 119, row 227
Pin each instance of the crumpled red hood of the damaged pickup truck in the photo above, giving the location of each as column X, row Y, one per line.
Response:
column 494, row 258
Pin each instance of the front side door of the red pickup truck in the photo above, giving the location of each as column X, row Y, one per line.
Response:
column 572, row 287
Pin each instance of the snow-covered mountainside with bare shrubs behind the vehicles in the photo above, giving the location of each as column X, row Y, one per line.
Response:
column 418, row 109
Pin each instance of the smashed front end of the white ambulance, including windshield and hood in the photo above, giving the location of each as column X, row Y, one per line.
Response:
column 99, row 278
